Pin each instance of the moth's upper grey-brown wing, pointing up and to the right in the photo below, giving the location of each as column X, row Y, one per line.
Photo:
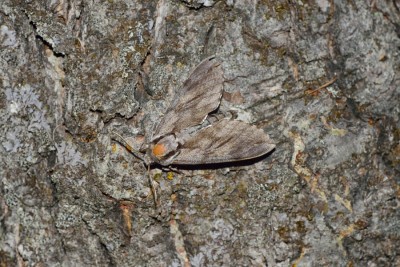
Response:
column 201, row 94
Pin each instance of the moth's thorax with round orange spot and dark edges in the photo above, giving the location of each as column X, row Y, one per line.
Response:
column 164, row 149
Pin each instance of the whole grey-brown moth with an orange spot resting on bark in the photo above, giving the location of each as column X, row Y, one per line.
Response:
column 178, row 140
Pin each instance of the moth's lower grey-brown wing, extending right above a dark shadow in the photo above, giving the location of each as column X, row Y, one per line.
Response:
column 224, row 141
